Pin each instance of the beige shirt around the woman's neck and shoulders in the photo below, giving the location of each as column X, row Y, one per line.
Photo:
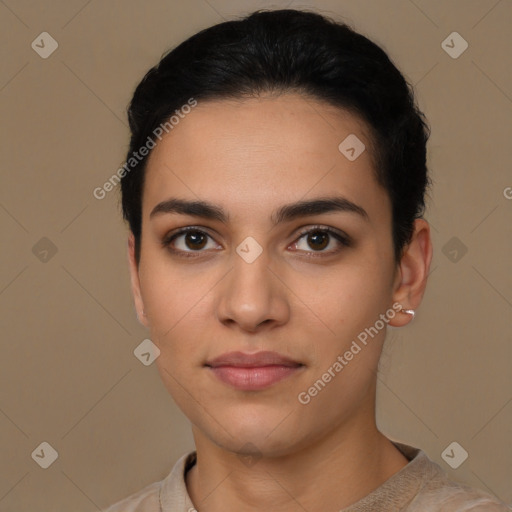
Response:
column 420, row 486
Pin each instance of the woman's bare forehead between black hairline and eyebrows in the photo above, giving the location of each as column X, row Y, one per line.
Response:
column 258, row 152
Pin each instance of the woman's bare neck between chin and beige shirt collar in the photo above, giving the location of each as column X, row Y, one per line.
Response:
column 332, row 474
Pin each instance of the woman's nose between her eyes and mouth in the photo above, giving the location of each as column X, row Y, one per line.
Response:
column 252, row 297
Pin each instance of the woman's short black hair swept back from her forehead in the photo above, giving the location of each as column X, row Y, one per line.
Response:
column 283, row 51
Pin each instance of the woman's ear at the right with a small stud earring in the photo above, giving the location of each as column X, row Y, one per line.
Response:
column 412, row 272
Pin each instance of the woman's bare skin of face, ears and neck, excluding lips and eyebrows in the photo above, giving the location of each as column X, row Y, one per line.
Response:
column 252, row 156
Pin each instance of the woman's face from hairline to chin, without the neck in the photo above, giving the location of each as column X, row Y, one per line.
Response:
column 254, row 281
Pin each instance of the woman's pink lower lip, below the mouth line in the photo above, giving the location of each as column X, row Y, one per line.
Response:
column 253, row 379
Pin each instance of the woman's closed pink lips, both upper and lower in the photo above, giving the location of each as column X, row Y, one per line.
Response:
column 252, row 372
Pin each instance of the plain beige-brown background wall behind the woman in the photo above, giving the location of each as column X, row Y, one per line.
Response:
column 68, row 373
